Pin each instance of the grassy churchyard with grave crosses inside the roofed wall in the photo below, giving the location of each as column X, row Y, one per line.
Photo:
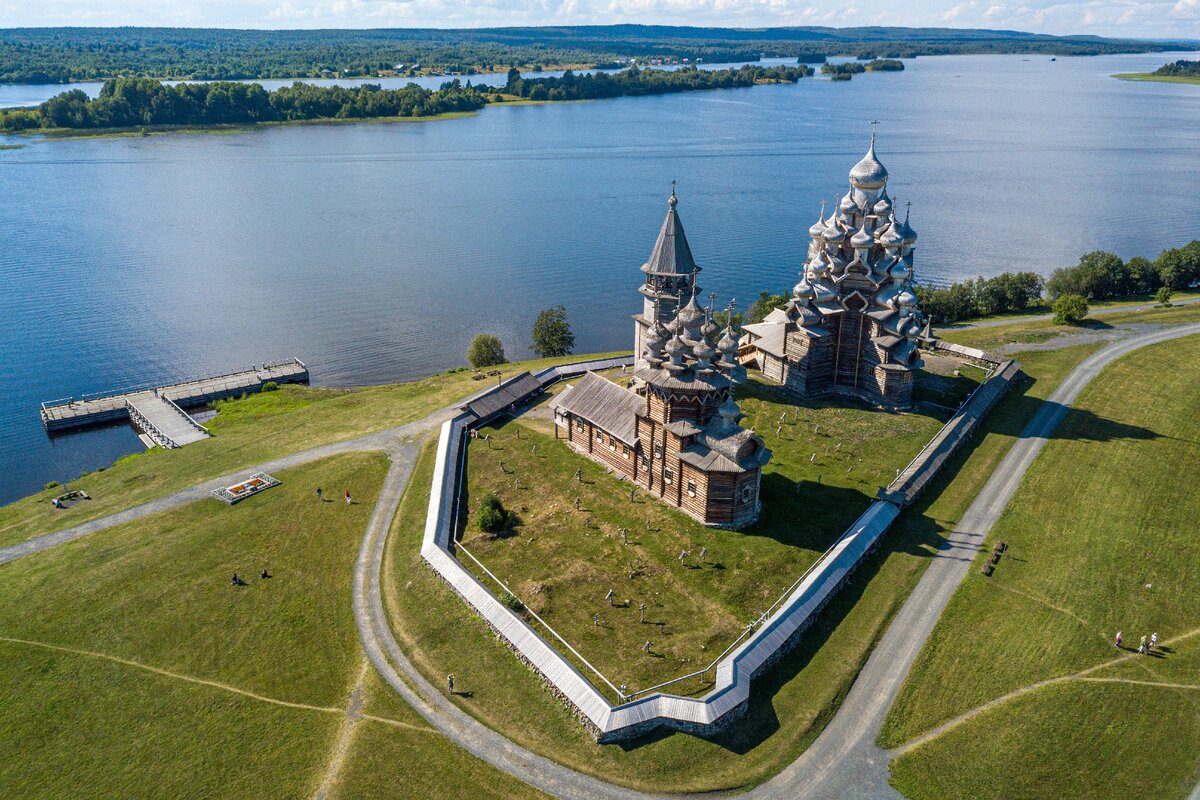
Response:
column 562, row 569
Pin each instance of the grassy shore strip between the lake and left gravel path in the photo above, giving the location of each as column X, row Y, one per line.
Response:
column 247, row 432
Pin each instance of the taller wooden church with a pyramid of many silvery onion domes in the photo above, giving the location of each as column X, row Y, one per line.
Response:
column 853, row 326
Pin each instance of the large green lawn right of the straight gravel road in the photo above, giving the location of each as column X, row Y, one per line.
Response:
column 1121, row 556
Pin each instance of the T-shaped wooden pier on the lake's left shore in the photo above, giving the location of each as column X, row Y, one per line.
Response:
column 159, row 411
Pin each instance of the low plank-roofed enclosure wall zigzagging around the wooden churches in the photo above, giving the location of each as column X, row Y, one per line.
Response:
column 777, row 634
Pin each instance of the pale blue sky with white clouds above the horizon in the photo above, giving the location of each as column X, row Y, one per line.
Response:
column 1167, row 19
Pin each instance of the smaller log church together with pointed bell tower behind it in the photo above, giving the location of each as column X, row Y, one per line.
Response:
column 674, row 431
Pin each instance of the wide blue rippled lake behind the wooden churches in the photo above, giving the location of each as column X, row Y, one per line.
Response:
column 375, row 252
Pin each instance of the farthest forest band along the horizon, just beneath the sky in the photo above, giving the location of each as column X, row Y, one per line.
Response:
column 71, row 55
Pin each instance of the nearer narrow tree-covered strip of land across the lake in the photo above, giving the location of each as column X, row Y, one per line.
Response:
column 147, row 103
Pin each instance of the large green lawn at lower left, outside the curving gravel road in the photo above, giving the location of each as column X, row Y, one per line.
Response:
column 131, row 667
